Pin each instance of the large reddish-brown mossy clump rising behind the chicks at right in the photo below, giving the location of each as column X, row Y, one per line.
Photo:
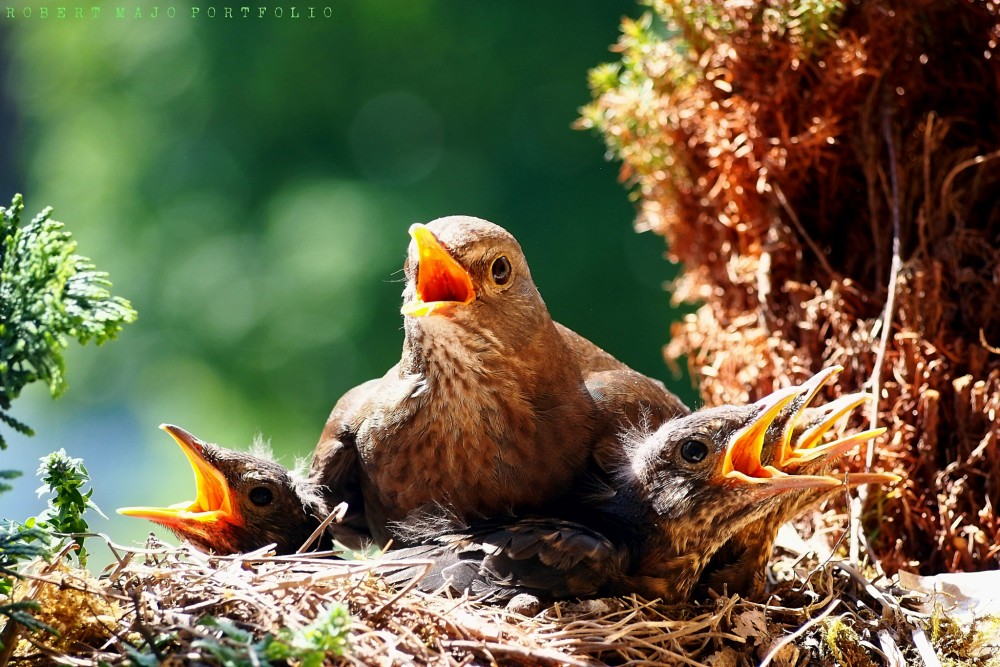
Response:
column 808, row 162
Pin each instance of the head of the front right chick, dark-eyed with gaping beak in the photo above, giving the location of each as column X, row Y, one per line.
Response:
column 710, row 461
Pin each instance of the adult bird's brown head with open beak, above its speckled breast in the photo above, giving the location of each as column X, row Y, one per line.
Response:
column 467, row 270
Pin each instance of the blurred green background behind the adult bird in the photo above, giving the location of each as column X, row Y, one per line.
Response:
column 248, row 184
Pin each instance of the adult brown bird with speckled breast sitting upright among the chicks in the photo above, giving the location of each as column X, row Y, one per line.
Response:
column 493, row 407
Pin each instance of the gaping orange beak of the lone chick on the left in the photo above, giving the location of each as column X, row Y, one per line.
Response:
column 213, row 502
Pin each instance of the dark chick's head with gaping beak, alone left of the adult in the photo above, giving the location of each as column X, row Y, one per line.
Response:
column 243, row 501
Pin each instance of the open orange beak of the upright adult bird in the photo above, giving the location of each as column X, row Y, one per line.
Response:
column 442, row 283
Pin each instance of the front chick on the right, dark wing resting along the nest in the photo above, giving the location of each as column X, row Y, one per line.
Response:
column 681, row 494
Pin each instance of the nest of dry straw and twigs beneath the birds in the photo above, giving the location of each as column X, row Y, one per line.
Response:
column 157, row 606
